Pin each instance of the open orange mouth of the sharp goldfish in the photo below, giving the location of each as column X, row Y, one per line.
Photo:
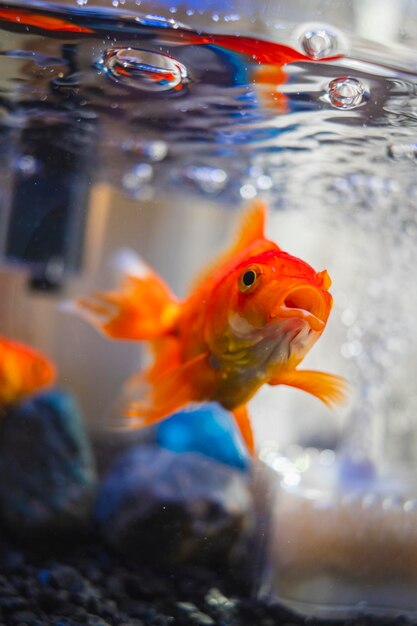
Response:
column 307, row 303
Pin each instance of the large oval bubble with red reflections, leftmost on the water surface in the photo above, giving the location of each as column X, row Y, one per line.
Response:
column 144, row 70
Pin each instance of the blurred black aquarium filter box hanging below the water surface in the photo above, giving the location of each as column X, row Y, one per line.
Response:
column 44, row 212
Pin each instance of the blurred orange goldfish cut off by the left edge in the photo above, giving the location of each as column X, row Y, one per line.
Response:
column 23, row 371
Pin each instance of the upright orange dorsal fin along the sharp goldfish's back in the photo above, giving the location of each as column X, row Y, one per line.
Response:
column 250, row 229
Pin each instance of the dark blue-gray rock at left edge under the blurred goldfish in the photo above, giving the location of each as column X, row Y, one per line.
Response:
column 47, row 475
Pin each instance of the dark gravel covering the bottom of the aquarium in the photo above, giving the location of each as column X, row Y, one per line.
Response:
column 89, row 585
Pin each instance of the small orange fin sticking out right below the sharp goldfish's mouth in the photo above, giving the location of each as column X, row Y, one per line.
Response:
column 329, row 388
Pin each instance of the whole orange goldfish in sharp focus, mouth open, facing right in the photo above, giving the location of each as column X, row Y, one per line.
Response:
column 249, row 320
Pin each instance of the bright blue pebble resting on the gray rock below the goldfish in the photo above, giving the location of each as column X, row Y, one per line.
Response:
column 210, row 430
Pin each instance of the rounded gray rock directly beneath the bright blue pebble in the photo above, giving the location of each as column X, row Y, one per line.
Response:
column 156, row 505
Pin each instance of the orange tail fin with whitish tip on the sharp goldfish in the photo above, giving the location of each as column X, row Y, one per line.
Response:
column 143, row 308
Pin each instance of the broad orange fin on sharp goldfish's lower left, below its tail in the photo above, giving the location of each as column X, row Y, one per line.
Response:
column 148, row 400
